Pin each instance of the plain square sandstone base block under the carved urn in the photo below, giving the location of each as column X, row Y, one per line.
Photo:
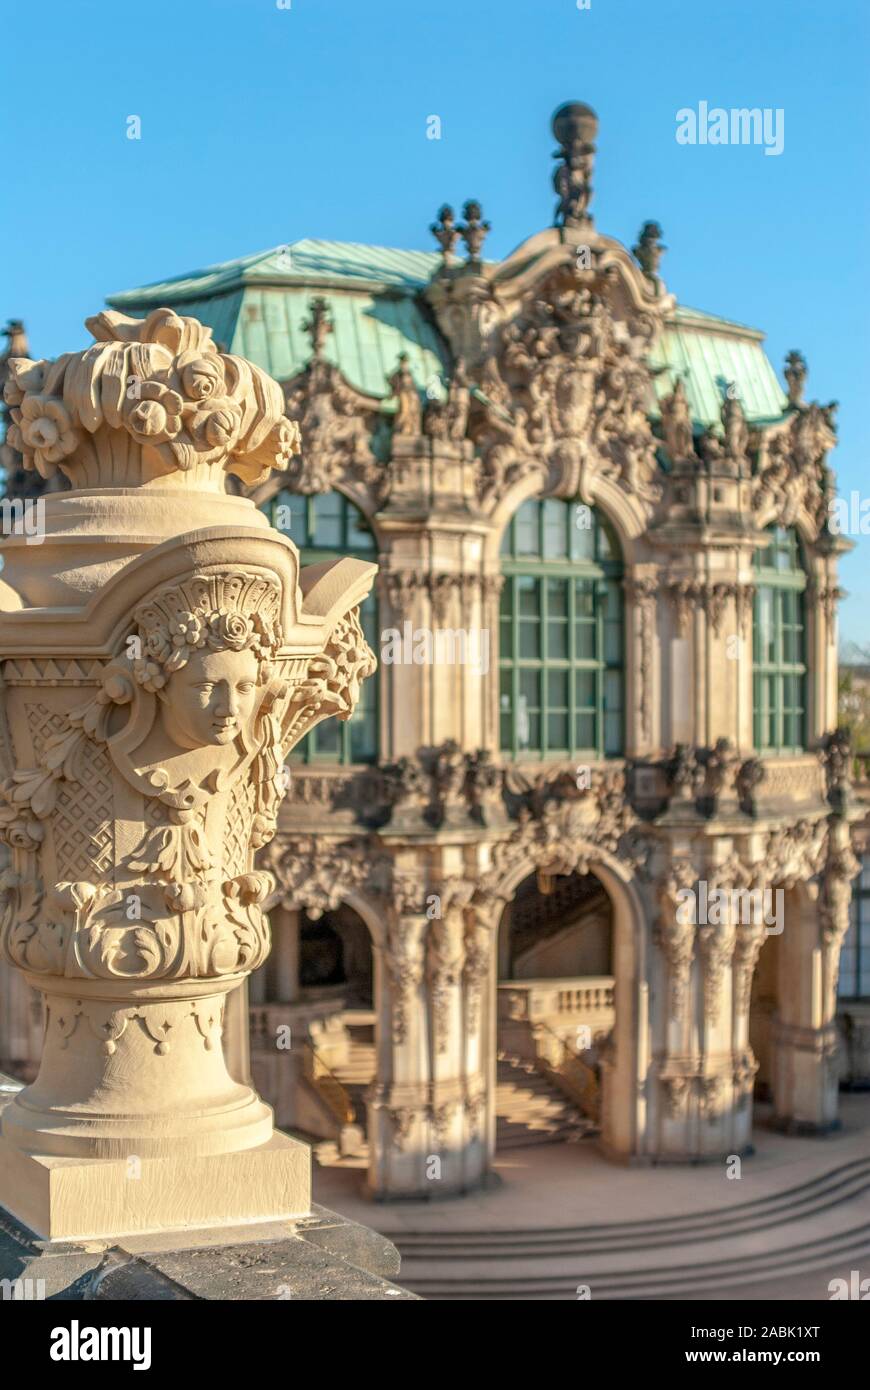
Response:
column 92, row 1199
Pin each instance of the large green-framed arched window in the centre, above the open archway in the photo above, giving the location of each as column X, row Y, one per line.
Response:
column 561, row 635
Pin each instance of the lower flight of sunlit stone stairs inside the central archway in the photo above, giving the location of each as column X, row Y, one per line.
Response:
column 530, row 1110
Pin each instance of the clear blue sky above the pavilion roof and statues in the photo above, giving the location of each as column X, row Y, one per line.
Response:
column 262, row 126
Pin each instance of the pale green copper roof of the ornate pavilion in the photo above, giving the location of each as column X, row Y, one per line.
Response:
column 256, row 308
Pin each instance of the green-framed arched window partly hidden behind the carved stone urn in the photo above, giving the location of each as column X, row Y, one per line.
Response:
column 327, row 528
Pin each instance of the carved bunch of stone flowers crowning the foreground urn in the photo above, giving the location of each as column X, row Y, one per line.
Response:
column 163, row 383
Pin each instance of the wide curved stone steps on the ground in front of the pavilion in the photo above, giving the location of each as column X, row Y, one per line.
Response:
column 808, row 1228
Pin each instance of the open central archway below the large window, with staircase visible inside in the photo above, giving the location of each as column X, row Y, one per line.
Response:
column 555, row 1008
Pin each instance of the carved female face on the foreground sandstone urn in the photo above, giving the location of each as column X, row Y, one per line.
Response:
column 212, row 698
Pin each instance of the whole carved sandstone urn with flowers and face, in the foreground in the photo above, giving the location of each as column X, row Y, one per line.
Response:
column 161, row 654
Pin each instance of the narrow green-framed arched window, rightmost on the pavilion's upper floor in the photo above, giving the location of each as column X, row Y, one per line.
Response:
column 779, row 646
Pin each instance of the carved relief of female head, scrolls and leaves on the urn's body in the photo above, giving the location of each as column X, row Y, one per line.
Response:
column 195, row 718
